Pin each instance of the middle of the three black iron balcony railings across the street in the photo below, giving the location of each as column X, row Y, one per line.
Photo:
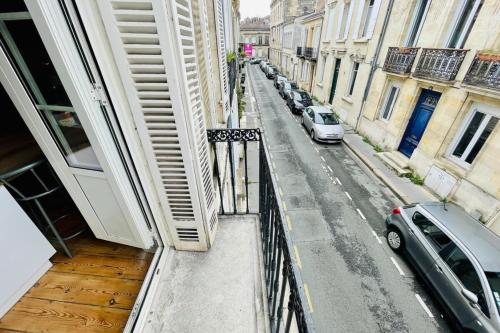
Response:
column 439, row 64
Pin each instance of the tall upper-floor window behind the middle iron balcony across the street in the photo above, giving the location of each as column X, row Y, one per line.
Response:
column 464, row 19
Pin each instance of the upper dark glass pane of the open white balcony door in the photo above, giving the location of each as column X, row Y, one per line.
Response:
column 39, row 64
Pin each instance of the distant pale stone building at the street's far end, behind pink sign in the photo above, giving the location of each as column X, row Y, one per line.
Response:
column 255, row 31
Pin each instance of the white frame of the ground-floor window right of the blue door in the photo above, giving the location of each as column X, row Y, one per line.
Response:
column 489, row 112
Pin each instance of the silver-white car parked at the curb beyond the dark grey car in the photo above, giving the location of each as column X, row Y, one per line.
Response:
column 322, row 124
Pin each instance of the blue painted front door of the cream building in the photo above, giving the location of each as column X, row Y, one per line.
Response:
column 418, row 121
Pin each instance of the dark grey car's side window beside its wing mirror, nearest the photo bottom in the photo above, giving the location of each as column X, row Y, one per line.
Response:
column 458, row 262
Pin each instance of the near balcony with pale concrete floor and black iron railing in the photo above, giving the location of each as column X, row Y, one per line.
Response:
column 248, row 280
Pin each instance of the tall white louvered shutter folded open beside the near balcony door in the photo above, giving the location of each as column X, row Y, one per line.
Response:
column 156, row 58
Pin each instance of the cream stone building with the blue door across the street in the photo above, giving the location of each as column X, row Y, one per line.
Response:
column 432, row 98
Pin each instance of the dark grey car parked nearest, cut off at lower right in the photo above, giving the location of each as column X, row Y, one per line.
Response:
column 456, row 255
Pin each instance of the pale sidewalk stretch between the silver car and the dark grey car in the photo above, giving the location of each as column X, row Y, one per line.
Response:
column 402, row 187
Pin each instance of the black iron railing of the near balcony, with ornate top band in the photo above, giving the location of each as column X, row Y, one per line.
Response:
column 284, row 287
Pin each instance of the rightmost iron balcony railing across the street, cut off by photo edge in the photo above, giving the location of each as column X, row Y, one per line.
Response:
column 484, row 71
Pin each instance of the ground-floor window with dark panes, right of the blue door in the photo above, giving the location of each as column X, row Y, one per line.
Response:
column 475, row 131
